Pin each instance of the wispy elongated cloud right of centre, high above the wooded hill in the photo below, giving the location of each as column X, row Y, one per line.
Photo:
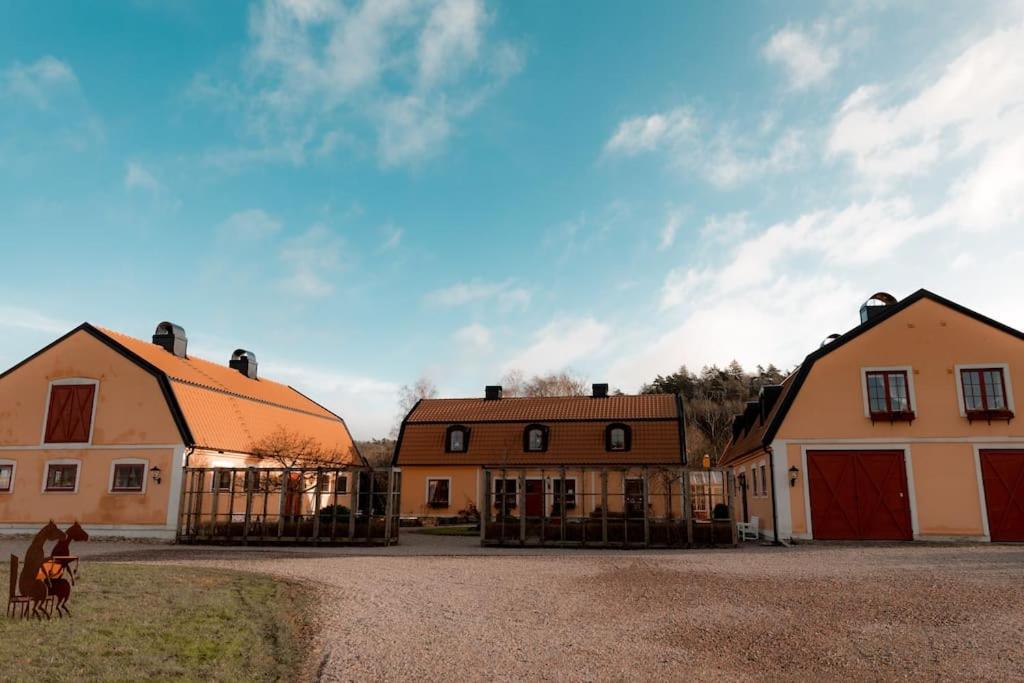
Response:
column 713, row 152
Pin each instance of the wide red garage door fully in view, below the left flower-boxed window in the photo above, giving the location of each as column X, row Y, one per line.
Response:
column 859, row 496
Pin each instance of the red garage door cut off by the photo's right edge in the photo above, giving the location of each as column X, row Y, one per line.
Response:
column 1003, row 474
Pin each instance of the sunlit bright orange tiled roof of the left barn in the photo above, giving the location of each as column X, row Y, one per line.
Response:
column 224, row 410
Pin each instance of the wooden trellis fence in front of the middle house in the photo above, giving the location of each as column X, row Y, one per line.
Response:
column 608, row 506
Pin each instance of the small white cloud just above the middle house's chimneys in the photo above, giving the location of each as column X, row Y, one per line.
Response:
column 560, row 345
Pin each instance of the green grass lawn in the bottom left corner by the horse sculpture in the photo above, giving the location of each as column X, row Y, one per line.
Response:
column 143, row 622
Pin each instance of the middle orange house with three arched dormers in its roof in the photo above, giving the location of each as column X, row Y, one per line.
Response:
column 445, row 444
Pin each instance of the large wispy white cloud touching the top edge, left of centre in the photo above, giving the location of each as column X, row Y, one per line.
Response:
column 319, row 73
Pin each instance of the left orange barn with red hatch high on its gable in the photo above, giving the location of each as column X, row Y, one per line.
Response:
column 98, row 428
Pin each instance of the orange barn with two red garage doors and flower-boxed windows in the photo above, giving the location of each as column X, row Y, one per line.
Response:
column 903, row 429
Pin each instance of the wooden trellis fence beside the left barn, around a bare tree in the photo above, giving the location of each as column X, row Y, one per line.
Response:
column 351, row 505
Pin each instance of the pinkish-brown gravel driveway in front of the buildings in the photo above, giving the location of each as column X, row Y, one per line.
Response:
column 445, row 609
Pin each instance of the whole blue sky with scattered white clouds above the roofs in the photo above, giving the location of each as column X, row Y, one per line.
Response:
column 365, row 194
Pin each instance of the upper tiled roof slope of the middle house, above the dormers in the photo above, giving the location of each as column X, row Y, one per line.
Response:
column 643, row 407
